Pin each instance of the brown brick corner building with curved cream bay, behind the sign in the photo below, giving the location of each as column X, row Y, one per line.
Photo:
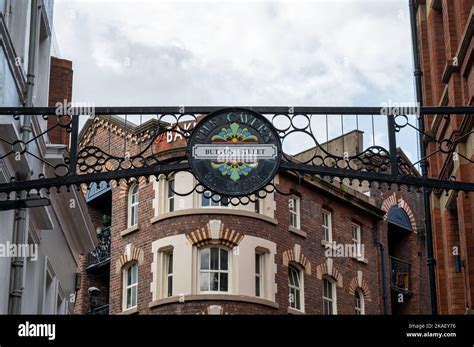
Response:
column 173, row 254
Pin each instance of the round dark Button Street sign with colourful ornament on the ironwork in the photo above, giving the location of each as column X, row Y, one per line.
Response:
column 234, row 152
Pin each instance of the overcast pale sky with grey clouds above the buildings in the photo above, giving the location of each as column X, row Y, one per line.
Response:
column 307, row 53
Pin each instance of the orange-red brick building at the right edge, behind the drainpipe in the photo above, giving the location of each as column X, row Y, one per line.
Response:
column 445, row 39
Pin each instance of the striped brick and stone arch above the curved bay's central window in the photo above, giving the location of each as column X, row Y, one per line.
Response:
column 215, row 232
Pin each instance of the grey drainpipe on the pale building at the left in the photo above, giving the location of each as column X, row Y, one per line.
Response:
column 20, row 228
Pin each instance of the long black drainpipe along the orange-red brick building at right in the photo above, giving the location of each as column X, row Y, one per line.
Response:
column 421, row 126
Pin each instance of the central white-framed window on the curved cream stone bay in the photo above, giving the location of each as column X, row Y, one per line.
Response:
column 214, row 270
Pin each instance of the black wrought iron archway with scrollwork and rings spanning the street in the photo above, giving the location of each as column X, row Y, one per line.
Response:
column 375, row 164
